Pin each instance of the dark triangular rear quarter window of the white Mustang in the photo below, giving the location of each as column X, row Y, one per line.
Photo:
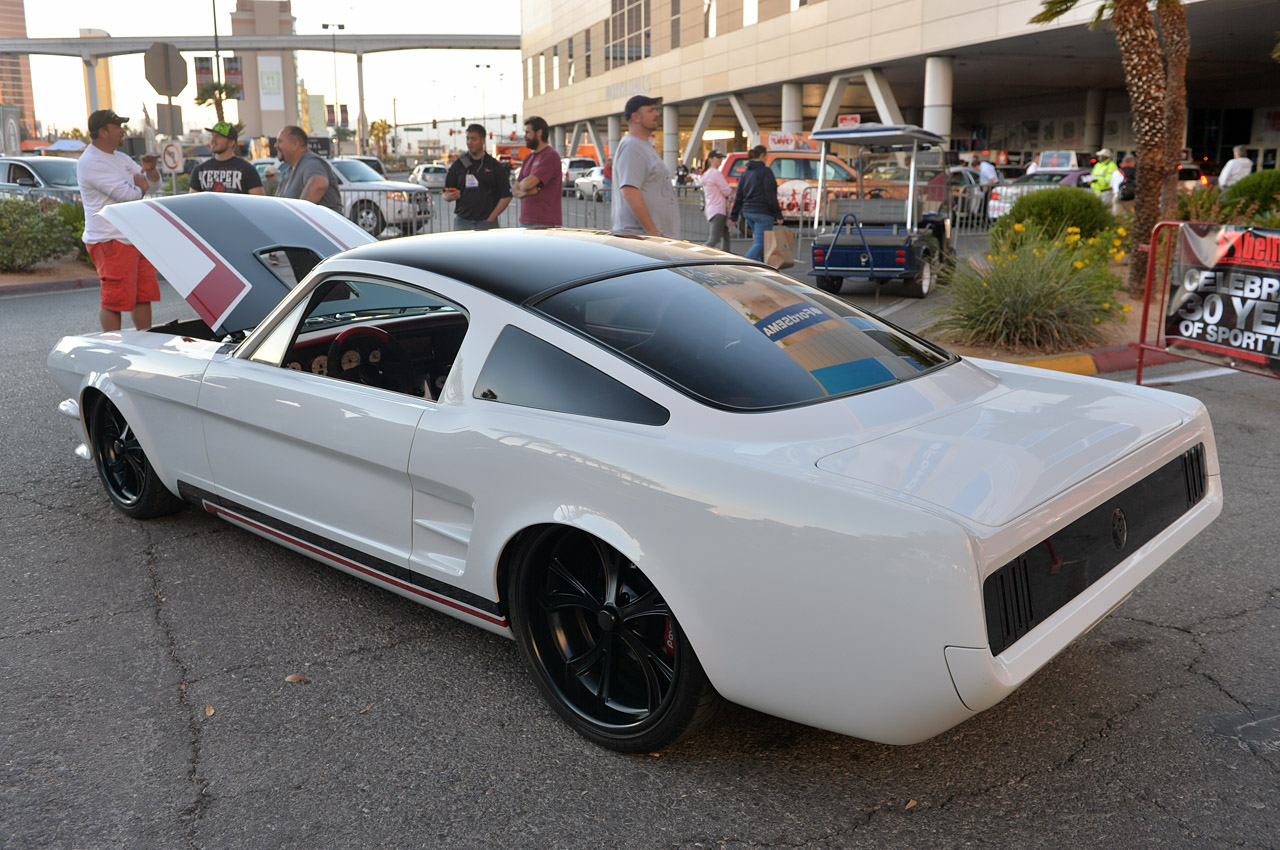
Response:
column 528, row 372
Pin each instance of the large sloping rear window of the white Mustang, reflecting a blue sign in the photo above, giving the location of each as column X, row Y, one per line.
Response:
column 743, row 337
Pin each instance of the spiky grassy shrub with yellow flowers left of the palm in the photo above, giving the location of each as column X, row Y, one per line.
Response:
column 1049, row 295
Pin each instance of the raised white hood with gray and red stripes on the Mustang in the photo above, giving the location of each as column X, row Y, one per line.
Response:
column 211, row 246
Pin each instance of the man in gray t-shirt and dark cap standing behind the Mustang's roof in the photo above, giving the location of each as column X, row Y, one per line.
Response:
column 644, row 202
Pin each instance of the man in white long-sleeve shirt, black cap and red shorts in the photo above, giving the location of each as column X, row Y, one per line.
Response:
column 108, row 176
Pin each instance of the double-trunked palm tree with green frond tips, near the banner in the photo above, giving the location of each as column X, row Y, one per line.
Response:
column 1155, row 71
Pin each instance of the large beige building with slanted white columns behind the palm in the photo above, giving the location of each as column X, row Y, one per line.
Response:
column 975, row 71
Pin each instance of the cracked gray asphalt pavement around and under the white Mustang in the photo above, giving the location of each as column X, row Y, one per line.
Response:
column 414, row 730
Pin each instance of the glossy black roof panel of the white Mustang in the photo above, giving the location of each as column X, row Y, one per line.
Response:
column 519, row 264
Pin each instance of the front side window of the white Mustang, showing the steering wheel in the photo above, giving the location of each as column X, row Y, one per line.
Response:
column 381, row 335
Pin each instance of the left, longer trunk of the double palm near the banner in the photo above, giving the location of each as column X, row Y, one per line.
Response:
column 1145, row 81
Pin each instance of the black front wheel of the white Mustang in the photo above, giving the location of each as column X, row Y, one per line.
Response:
column 125, row 470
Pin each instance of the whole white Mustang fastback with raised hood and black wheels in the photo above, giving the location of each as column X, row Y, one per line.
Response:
column 671, row 474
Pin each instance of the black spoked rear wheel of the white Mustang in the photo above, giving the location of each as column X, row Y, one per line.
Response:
column 604, row 647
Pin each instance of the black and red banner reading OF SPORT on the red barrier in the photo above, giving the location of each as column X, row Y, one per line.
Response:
column 1224, row 298
